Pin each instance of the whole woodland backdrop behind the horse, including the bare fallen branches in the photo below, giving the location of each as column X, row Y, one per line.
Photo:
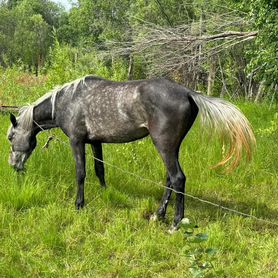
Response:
column 140, row 39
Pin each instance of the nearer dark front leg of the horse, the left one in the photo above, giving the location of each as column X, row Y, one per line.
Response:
column 78, row 149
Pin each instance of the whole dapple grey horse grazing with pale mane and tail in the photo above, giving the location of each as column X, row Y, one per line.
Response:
column 92, row 110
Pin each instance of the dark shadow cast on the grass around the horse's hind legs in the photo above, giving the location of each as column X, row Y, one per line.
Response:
column 208, row 211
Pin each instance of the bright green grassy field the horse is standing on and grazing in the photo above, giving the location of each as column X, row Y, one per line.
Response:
column 42, row 235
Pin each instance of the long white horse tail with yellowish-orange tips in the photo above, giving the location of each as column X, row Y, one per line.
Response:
column 227, row 121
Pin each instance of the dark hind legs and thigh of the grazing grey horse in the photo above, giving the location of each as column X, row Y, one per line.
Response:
column 167, row 136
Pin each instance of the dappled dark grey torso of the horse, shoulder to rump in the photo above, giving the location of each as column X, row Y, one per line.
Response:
column 116, row 112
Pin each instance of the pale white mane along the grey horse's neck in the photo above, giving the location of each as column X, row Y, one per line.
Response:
column 26, row 113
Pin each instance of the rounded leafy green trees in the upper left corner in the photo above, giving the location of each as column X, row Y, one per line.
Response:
column 26, row 35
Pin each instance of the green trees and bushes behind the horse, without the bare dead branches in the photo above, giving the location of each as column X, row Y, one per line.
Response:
column 26, row 38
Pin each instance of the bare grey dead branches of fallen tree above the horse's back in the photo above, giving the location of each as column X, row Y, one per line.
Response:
column 169, row 49
